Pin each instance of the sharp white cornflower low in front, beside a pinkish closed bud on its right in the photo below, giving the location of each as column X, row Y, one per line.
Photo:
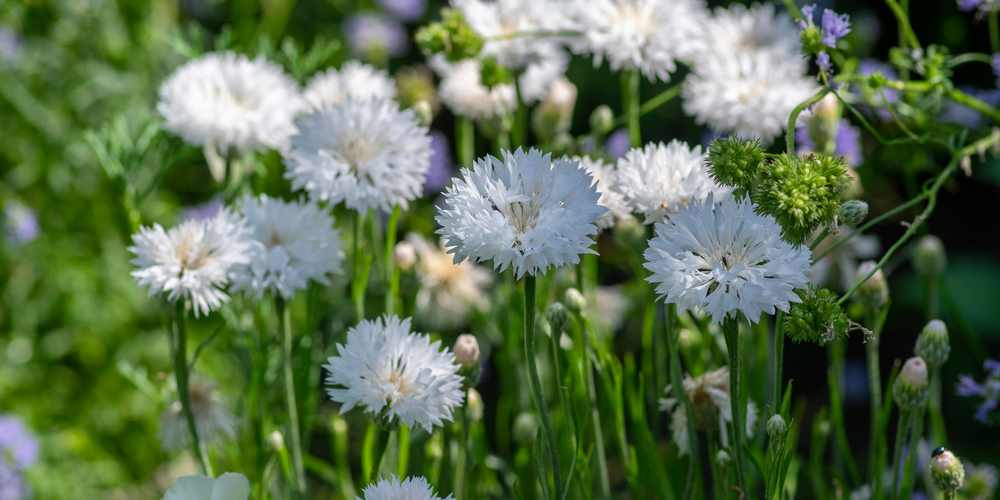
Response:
column 395, row 374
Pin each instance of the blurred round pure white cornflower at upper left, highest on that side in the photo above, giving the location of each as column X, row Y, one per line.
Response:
column 226, row 100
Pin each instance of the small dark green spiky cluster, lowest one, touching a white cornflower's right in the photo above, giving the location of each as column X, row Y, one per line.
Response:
column 818, row 318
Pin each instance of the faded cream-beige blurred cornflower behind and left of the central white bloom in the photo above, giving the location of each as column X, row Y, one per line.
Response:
column 449, row 292
